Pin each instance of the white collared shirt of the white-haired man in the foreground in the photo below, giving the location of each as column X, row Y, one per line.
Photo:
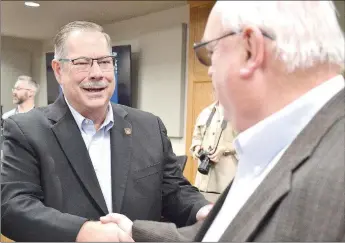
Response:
column 260, row 147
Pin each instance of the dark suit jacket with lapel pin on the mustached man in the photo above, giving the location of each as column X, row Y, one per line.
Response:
column 49, row 187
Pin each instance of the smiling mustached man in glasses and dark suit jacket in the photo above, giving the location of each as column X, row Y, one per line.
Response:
column 82, row 157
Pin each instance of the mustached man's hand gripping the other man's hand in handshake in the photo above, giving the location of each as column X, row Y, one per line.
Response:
column 98, row 232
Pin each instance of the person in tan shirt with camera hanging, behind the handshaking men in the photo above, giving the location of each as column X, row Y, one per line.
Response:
column 212, row 141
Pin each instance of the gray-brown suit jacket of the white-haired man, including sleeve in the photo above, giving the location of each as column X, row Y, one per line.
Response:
column 301, row 199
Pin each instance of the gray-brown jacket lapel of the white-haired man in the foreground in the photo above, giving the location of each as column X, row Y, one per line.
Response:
column 278, row 182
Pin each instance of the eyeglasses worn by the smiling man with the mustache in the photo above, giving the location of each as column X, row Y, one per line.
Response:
column 84, row 64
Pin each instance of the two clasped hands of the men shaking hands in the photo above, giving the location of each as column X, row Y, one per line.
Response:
column 111, row 228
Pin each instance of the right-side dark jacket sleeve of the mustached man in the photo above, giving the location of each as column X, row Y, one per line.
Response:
column 181, row 200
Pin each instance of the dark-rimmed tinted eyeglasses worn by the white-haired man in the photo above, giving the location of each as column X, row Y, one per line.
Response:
column 203, row 54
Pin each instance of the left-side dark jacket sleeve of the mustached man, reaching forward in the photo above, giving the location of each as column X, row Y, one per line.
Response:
column 24, row 215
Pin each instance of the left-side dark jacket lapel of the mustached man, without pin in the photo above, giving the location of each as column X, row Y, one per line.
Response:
column 71, row 142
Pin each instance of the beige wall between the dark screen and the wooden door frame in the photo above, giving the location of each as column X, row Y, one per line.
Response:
column 156, row 37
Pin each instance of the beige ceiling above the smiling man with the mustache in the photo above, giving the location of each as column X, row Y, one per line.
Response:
column 43, row 22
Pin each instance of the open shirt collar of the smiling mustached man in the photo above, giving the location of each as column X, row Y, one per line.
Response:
column 81, row 120
